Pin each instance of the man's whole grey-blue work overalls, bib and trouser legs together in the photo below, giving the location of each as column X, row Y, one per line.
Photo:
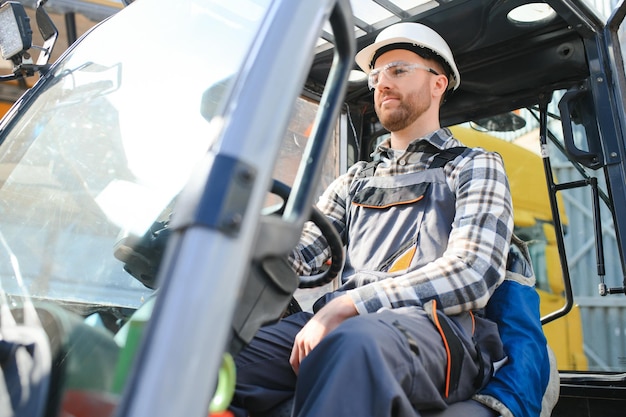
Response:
column 392, row 362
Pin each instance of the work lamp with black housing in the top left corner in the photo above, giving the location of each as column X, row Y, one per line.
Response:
column 16, row 35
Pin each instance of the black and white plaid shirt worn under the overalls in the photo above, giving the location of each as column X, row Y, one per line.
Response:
column 474, row 262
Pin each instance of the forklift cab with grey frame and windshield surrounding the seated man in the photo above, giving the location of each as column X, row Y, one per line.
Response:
column 136, row 207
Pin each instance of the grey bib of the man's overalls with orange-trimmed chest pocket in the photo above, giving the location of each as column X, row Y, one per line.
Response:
column 413, row 215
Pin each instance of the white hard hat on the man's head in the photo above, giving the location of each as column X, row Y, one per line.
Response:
column 414, row 36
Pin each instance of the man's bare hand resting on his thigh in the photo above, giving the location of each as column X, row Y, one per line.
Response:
column 322, row 323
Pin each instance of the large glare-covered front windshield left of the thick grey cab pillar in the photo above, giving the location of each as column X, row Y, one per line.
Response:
column 89, row 175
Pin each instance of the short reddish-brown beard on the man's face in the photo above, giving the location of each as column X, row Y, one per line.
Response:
column 409, row 108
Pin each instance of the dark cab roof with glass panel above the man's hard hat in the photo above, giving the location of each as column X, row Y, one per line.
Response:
column 504, row 63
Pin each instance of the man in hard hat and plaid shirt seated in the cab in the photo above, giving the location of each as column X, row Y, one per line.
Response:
column 427, row 231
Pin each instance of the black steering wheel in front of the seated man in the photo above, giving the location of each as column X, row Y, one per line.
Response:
column 328, row 231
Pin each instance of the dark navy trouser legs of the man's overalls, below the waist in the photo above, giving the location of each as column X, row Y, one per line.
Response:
column 388, row 363
